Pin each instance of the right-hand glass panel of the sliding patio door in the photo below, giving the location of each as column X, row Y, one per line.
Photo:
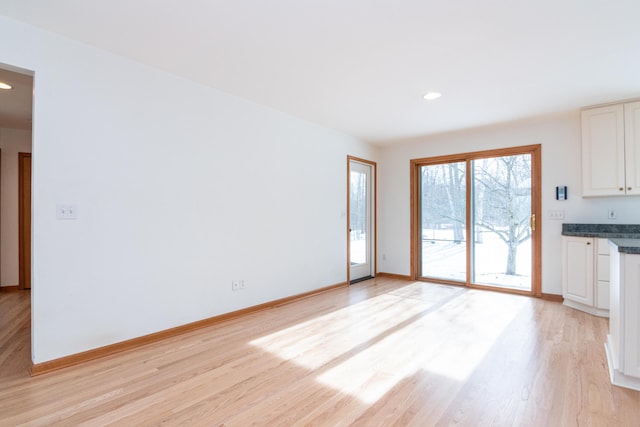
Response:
column 501, row 222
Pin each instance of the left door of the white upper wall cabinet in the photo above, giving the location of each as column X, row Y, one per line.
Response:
column 603, row 151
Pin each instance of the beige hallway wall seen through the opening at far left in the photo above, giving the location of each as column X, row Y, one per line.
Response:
column 12, row 142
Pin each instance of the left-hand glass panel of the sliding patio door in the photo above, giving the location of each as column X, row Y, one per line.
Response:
column 442, row 240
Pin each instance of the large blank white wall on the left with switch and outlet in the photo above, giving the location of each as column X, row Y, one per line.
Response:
column 179, row 188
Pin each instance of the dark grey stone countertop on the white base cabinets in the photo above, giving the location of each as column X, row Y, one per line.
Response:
column 625, row 237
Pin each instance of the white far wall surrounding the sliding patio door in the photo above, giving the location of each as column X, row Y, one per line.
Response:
column 560, row 139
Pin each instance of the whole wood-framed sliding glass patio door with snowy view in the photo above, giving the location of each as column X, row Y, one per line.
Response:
column 474, row 219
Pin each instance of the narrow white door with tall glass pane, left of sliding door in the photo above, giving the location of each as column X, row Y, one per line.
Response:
column 361, row 220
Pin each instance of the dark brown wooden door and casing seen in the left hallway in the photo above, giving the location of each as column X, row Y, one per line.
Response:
column 24, row 221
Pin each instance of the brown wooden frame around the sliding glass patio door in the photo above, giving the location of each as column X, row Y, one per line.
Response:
column 536, row 209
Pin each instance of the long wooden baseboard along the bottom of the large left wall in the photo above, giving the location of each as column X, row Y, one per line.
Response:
column 96, row 353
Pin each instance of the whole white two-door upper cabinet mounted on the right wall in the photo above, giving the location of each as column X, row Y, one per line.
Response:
column 611, row 150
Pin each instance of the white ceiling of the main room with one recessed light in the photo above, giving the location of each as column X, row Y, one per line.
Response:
column 362, row 66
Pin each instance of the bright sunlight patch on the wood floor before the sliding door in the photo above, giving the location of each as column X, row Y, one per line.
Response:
column 391, row 337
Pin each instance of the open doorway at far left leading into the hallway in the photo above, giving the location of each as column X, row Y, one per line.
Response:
column 16, row 111
